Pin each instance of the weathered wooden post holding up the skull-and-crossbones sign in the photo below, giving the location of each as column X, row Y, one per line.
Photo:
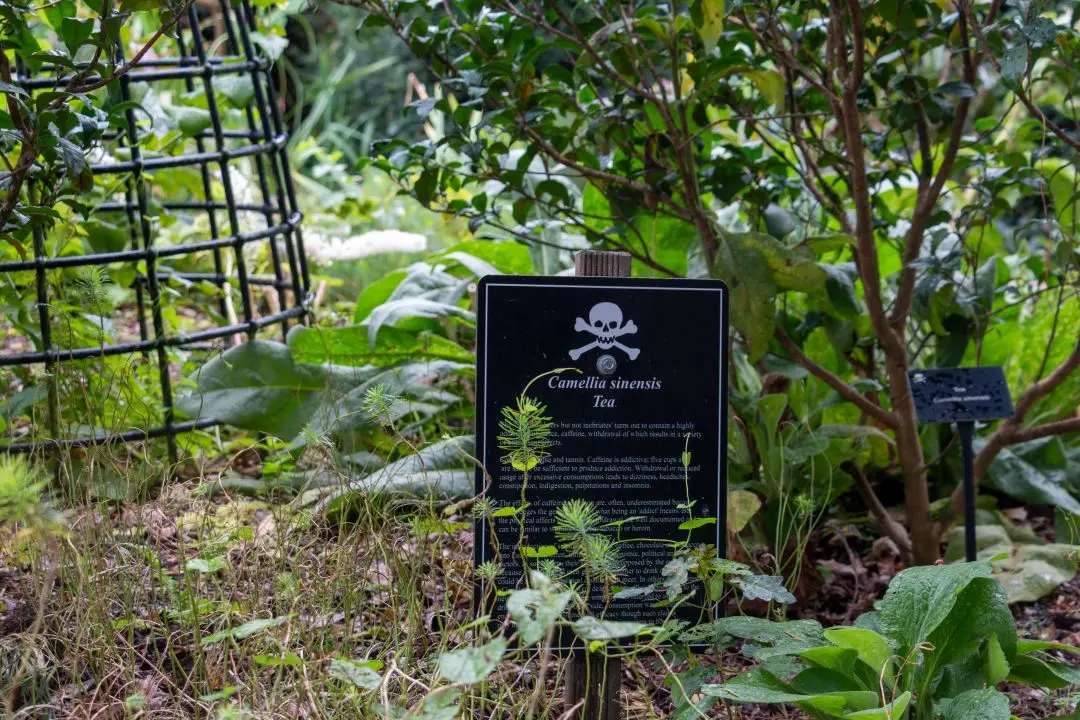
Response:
column 595, row 681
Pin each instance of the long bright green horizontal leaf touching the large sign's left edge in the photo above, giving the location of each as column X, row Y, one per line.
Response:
column 350, row 347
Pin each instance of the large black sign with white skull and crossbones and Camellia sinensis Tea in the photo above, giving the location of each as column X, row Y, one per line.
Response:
column 652, row 356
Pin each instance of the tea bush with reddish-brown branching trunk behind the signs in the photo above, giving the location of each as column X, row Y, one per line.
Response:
column 884, row 186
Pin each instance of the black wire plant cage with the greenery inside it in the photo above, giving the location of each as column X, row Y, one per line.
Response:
column 192, row 243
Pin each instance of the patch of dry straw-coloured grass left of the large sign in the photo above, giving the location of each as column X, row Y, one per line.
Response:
column 127, row 614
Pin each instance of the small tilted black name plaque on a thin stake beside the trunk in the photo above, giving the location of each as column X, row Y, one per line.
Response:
column 961, row 395
